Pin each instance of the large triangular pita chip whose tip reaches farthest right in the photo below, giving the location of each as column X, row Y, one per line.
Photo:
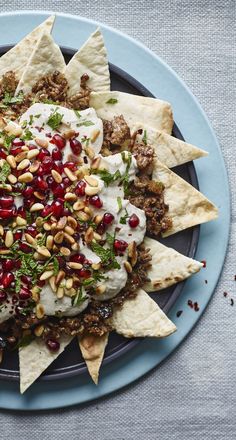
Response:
column 187, row 206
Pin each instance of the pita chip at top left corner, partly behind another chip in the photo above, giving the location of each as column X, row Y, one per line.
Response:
column 17, row 57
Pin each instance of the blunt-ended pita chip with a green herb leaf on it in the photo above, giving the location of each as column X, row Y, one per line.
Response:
column 154, row 112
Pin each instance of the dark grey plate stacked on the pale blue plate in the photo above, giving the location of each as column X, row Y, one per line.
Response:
column 70, row 362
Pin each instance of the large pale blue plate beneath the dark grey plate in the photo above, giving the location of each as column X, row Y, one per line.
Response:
column 156, row 76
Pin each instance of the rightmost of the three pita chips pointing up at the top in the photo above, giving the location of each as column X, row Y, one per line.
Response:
column 90, row 59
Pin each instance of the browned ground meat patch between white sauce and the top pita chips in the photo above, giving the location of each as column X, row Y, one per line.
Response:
column 49, row 88
